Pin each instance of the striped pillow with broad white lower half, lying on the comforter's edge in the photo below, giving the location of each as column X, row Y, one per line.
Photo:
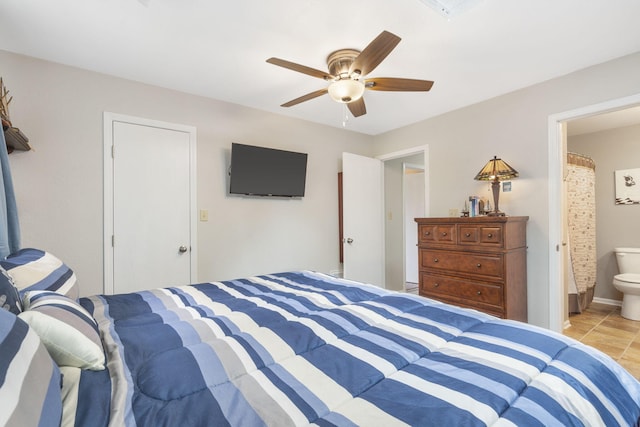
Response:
column 67, row 330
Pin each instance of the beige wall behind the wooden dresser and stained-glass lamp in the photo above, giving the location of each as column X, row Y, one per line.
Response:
column 515, row 127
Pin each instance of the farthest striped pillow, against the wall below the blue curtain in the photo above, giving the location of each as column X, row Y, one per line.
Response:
column 34, row 269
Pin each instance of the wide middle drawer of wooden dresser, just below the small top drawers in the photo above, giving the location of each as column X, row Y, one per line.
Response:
column 486, row 265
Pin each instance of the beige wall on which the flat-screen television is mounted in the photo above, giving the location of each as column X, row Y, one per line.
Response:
column 59, row 185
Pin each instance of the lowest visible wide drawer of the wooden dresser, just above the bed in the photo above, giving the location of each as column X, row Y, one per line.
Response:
column 469, row 292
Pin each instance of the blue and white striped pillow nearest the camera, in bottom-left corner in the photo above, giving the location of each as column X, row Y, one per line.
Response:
column 29, row 380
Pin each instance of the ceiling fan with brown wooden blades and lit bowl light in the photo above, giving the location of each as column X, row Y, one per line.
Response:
column 348, row 69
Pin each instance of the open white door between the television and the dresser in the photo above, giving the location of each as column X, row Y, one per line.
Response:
column 362, row 204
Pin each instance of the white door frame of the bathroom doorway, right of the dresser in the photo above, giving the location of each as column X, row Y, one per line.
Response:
column 557, row 153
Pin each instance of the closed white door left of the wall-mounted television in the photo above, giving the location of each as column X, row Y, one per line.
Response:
column 153, row 186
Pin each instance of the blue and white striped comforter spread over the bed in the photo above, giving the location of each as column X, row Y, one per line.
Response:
column 304, row 348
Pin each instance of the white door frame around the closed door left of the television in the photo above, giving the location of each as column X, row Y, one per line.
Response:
column 108, row 255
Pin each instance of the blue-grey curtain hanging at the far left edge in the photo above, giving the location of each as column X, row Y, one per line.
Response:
column 9, row 226
